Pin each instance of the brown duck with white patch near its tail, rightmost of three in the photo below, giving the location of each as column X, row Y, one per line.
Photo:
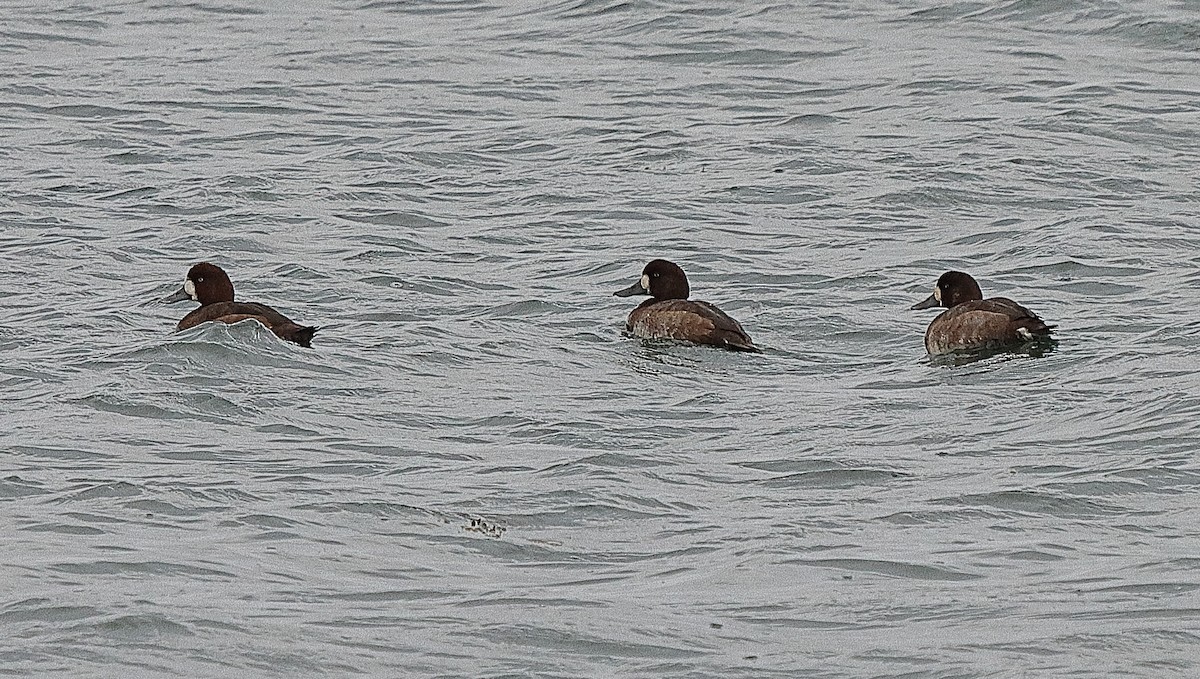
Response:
column 971, row 322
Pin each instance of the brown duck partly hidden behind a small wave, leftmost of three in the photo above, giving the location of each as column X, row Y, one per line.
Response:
column 211, row 286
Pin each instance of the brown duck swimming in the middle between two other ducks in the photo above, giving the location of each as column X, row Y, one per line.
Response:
column 670, row 315
